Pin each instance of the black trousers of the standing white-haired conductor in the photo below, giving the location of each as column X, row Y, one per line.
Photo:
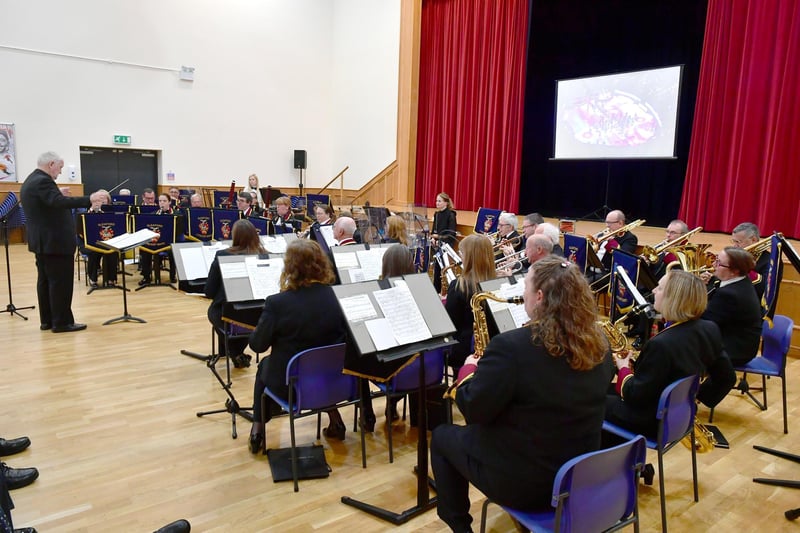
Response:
column 54, row 288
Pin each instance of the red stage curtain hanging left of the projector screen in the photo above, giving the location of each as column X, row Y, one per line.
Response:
column 471, row 96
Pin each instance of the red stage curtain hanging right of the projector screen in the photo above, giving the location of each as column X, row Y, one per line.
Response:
column 744, row 160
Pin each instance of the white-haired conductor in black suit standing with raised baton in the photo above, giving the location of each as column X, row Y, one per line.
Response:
column 51, row 236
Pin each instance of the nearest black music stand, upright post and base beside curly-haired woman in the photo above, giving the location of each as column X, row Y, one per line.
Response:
column 441, row 329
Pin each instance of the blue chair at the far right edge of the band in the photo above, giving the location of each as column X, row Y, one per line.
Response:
column 772, row 361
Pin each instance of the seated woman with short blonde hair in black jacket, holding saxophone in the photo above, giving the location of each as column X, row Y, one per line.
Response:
column 690, row 345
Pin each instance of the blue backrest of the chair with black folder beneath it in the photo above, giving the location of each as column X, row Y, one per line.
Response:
column 317, row 377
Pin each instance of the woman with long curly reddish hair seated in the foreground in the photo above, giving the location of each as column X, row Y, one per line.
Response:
column 531, row 403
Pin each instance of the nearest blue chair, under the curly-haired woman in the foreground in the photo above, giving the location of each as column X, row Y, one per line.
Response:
column 596, row 491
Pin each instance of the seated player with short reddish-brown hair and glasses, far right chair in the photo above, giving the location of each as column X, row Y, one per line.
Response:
column 734, row 306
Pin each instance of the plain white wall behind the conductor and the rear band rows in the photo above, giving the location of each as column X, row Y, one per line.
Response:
column 271, row 76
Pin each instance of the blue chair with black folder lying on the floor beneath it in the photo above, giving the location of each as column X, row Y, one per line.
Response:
column 316, row 384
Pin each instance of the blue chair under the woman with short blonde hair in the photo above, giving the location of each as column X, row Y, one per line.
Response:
column 676, row 411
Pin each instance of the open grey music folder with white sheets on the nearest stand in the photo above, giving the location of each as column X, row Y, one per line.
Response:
column 395, row 320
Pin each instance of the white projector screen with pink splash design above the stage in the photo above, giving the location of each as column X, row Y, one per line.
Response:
column 618, row 116
